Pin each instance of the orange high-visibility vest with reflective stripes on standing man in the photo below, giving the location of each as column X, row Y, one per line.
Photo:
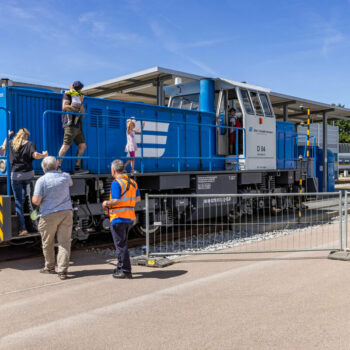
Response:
column 125, row 207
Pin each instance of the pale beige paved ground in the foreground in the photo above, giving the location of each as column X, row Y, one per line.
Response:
column 275, row 301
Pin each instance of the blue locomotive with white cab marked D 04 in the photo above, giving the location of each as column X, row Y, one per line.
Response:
column 182, row 148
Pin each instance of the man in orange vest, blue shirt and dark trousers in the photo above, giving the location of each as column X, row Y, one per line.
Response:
column 121, row 209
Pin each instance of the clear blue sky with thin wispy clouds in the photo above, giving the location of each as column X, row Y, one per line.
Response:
column 297, row 47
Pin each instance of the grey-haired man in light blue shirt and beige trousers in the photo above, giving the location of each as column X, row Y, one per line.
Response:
column 51, row 192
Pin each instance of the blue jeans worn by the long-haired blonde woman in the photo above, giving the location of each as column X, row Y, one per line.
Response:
column 21, row 190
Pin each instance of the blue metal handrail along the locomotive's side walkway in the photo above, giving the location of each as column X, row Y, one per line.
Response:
column 178, row 158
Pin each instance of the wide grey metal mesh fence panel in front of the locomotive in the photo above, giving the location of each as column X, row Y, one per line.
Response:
column 245, row 223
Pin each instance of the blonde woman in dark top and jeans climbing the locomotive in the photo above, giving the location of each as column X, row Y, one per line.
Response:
column 22, row 154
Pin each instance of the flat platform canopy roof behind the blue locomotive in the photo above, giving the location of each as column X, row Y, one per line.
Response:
column 142, row 87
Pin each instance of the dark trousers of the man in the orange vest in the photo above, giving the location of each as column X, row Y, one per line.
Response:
column 120, row 233
